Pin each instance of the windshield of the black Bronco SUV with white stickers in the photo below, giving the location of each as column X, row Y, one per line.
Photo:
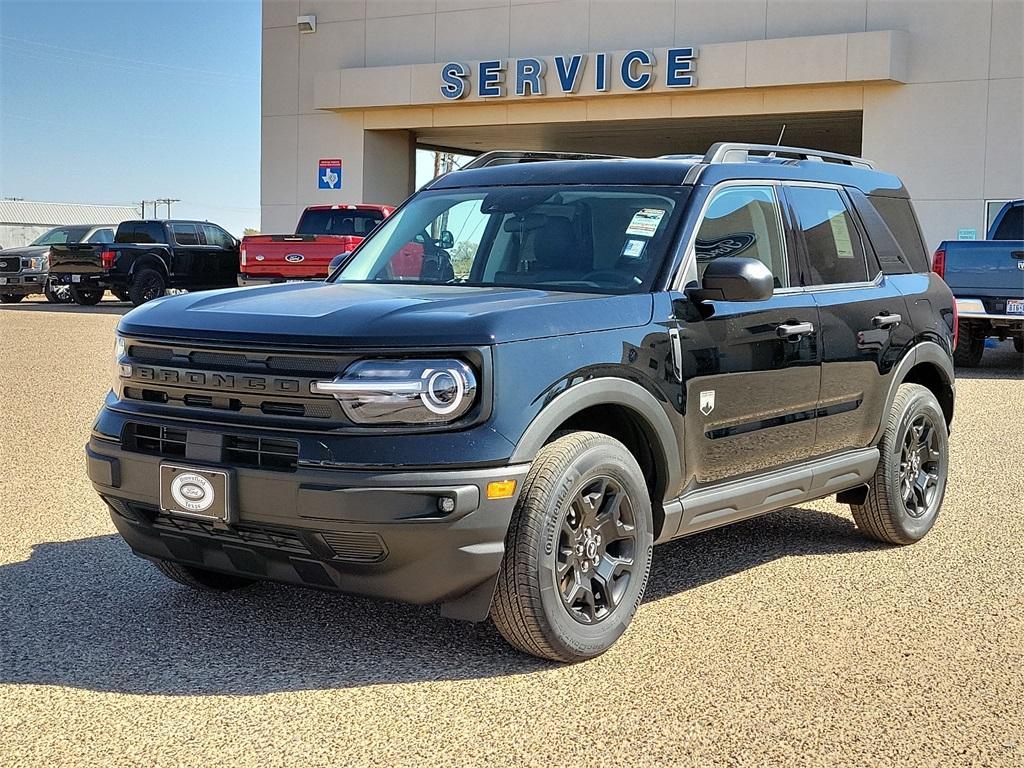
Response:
column 587, row 239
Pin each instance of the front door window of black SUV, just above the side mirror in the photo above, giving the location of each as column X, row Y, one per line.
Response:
column 744, row 222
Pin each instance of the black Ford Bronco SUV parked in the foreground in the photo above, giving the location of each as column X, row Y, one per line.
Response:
column 532, row 373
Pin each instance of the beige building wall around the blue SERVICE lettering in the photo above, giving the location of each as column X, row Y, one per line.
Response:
column 941, row 84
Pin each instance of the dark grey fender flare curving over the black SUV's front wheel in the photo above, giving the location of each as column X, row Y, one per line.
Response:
column 607, row 392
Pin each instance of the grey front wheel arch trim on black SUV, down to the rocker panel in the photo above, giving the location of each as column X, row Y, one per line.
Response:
column 625, row 411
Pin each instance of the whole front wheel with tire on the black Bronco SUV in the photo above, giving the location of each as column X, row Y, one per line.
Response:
column 578, row 552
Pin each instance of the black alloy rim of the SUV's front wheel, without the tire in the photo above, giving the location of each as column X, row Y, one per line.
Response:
column 596, row 554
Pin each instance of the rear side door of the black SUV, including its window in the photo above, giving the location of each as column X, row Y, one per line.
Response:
column 864, row 318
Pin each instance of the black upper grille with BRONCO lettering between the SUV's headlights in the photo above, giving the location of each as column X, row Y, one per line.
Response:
column 249, row 383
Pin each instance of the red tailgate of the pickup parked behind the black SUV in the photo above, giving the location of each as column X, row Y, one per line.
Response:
column 293, row 257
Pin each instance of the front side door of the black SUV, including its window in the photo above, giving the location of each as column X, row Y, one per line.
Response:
column 751, row 371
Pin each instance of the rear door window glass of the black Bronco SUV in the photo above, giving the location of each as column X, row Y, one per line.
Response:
column 835, row 251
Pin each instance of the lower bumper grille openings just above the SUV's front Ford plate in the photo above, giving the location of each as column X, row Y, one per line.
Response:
column 278, row 455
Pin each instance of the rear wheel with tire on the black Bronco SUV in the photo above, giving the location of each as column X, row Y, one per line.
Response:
column 906, row 495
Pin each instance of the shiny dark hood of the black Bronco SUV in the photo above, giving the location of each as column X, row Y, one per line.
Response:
column 390, row 316
